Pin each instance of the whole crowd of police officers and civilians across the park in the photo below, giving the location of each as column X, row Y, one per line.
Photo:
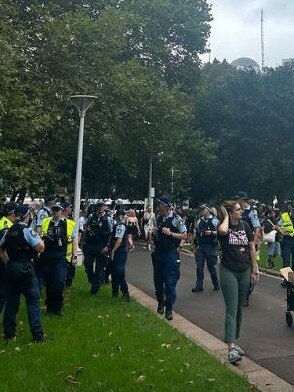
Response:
column 39, row 248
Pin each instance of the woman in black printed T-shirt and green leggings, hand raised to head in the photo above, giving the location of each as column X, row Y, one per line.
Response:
column 237, row 270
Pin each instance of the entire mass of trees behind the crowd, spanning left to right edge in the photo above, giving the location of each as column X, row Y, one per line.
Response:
column 220, row 128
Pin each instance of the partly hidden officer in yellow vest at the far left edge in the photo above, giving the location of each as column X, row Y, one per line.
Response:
column 6, row 221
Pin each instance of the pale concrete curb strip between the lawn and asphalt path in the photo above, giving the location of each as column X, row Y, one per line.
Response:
column 260, row 377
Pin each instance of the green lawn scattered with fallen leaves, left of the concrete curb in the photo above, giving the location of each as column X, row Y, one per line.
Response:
column 105, row 344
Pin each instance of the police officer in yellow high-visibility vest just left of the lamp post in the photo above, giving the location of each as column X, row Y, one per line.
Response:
column 60, row 237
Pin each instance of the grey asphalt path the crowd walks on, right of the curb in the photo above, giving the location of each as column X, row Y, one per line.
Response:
column 264, row 335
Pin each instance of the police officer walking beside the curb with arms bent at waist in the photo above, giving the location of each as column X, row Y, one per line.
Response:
column 170, row 230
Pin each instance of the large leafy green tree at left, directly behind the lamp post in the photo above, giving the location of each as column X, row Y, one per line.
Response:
column 134, row 56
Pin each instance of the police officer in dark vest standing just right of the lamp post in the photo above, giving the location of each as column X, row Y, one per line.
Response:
column 98, row 230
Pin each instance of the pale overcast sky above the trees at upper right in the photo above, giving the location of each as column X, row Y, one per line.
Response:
column 235, row 30
